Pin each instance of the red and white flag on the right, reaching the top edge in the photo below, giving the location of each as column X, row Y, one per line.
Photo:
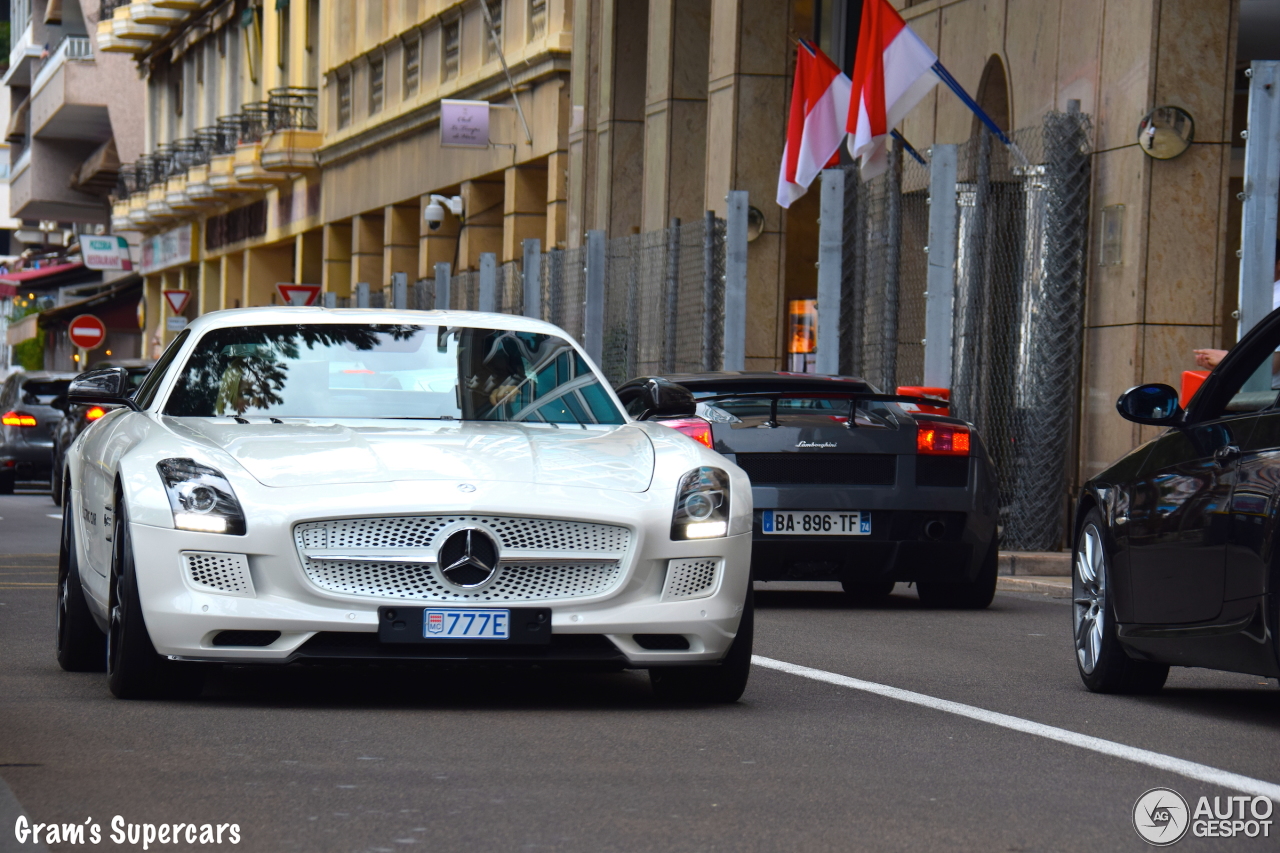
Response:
column 893, row 71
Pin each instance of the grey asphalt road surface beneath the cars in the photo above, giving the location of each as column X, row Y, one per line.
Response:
column 509, row 760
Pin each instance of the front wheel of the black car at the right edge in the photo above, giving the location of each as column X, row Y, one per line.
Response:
column 1101, row 660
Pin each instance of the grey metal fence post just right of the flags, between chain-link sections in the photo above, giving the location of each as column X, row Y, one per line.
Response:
column 940, row 298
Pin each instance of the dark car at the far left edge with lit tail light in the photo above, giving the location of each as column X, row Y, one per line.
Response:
column 28, row 423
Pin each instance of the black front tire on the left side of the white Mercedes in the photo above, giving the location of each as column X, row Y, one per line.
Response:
column 134, row 669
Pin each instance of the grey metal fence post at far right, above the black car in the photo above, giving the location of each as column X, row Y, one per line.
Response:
column 1259, row 216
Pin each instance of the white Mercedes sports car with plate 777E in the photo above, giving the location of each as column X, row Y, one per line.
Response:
column 309, row 485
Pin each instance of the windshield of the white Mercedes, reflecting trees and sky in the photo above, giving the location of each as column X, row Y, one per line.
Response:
column 390, row 371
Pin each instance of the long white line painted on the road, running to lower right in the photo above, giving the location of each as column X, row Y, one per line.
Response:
column 1160, row 761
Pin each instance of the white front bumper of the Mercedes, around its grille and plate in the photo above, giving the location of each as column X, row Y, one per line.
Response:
column 316, row 624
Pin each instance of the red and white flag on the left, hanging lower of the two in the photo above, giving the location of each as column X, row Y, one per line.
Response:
column 820, row 108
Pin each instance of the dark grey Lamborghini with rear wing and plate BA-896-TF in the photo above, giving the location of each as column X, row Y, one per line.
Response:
column 848, row 483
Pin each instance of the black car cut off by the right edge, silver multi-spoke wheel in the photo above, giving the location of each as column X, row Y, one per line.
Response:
column 1176, row 559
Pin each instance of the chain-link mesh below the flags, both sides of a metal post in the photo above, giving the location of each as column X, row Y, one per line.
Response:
column 1018, row 309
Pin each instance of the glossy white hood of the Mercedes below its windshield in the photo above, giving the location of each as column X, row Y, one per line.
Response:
column 327, row 453
